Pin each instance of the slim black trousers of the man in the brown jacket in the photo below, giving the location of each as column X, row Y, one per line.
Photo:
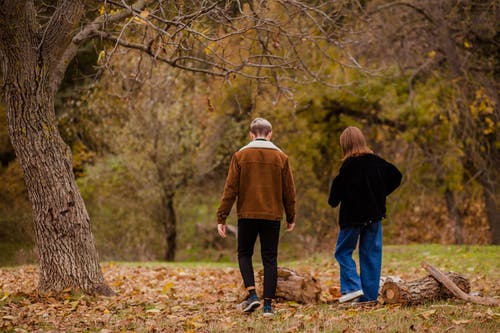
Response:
column 268, row 232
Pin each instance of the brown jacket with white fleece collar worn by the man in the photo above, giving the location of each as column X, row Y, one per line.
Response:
column 261, row 178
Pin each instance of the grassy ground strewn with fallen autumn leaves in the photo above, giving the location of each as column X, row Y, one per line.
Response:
column 201, row 297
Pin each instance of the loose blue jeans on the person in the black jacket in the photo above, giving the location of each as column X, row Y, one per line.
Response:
column 370, row 259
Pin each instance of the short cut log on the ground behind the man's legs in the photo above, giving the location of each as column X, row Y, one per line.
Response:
column 292, row 286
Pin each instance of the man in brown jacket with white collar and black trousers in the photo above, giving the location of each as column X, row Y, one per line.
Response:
column 260, row 177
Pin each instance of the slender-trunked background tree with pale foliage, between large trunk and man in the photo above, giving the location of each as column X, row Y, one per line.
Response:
column 156, row 128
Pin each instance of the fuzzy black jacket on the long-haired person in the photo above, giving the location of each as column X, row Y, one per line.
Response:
column 361, row 187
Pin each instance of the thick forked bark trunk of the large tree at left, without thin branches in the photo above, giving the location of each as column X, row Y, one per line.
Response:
column 67, row 253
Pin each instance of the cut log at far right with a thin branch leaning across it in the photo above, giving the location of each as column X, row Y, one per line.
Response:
column 420, row 291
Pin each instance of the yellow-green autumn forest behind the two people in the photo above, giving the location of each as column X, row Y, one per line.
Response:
column 151, row 144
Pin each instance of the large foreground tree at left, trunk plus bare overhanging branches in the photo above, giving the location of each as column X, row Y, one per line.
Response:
column 39, row 39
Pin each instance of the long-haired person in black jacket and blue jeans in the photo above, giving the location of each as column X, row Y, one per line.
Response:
column 361, row 187
